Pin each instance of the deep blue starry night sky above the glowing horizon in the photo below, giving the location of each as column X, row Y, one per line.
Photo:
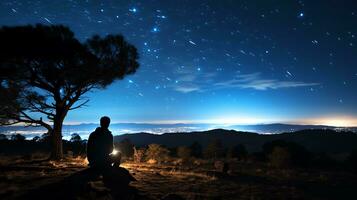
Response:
column 225, row 61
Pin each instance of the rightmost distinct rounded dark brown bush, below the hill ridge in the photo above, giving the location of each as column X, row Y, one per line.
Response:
column 280, row 157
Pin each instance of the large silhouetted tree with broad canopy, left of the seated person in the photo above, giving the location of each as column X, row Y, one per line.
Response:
column 46, row 70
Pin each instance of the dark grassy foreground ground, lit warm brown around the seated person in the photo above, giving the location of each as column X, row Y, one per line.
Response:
column 21, row 178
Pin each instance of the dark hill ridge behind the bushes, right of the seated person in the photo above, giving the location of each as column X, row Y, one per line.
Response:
column 317, row 140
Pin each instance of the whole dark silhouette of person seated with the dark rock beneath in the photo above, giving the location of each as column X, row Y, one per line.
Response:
column 102, row 160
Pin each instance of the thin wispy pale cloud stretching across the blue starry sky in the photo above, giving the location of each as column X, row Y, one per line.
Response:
column 191, row 83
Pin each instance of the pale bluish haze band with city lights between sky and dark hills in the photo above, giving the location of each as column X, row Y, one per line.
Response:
column 84, row 129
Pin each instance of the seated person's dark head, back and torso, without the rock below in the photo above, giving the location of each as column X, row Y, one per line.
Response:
column 100, row 145
